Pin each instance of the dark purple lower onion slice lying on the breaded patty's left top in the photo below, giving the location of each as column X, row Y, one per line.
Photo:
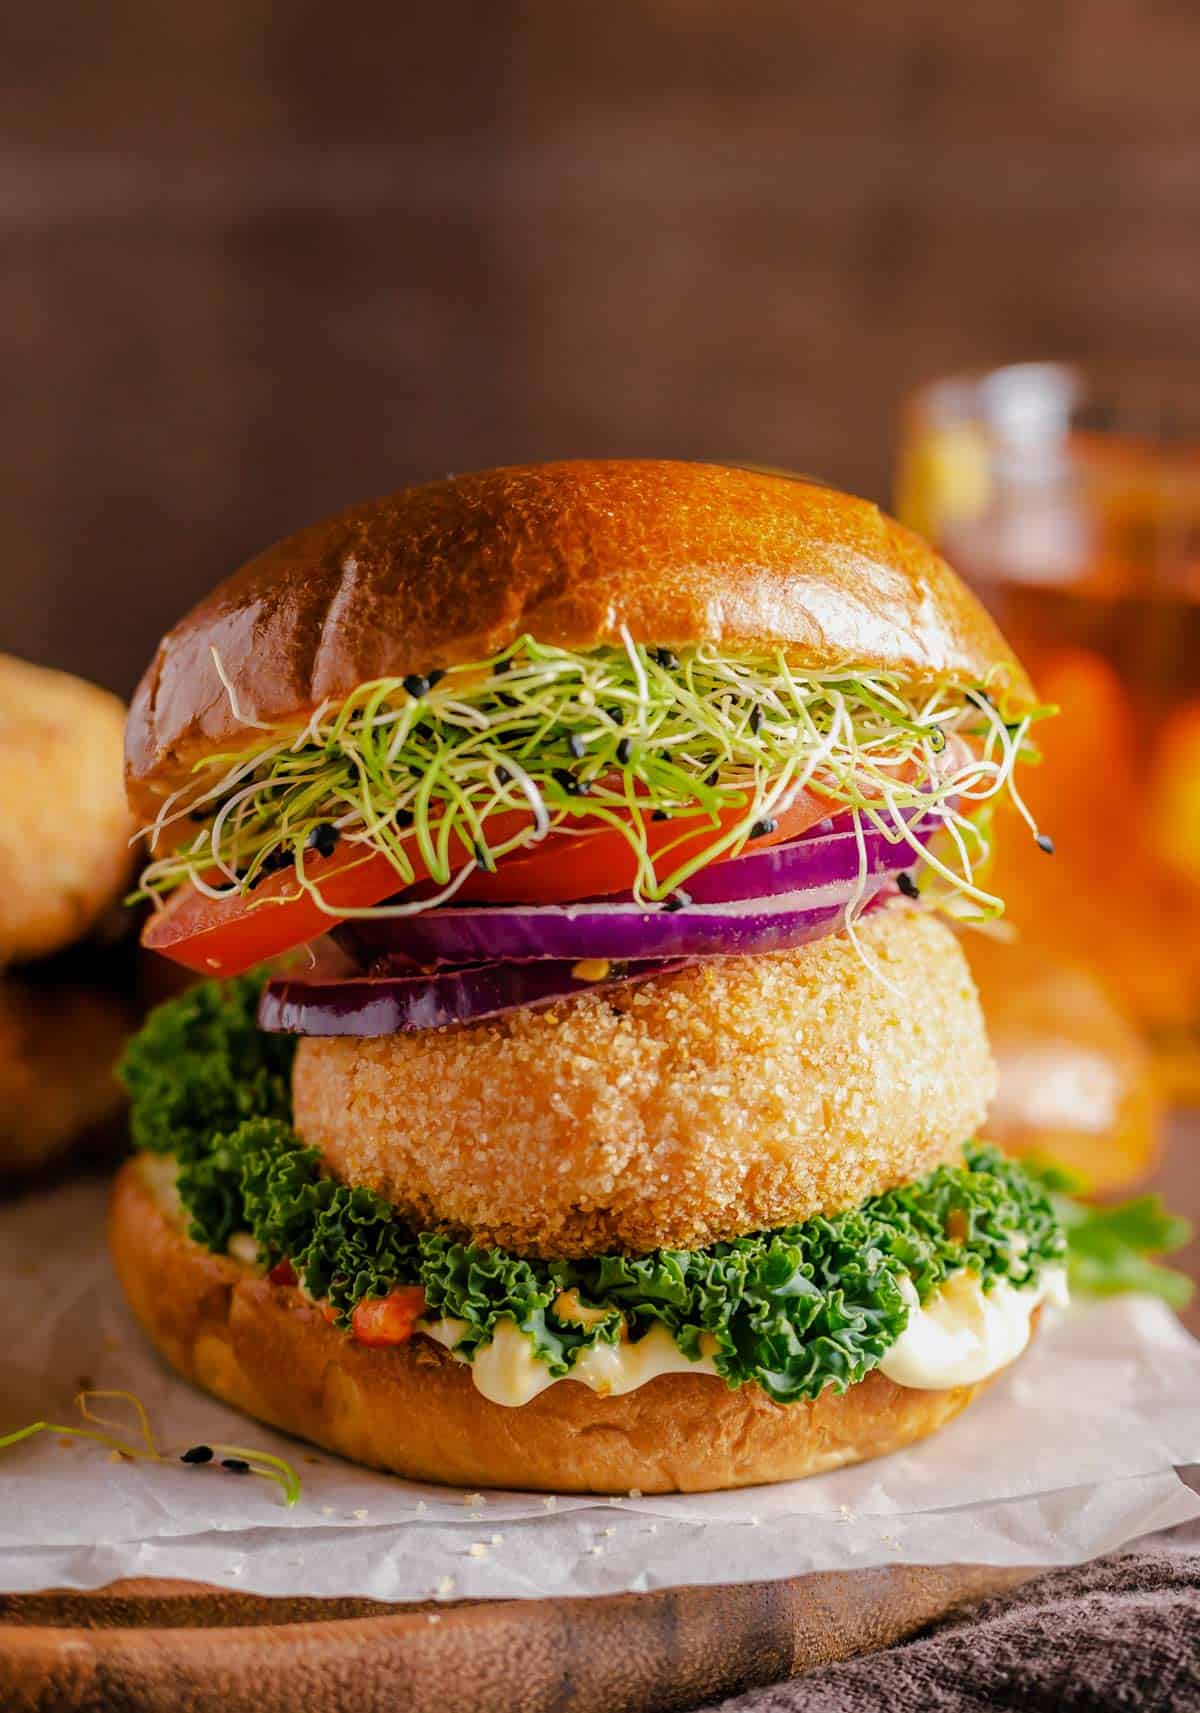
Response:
column 405, row 1005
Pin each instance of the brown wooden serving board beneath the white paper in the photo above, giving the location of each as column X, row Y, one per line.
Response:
column 157, row 1645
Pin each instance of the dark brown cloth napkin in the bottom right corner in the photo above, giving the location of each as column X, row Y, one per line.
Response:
column 1117, row 1637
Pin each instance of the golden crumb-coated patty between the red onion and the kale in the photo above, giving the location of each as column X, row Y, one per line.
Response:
column 737, row 1095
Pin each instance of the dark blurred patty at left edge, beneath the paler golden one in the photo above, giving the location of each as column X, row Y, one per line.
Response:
column 59, row 1046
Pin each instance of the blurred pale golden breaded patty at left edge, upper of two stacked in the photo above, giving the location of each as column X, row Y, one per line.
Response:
column 64, row 833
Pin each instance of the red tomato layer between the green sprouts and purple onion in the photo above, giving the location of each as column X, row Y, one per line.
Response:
column 222, row 938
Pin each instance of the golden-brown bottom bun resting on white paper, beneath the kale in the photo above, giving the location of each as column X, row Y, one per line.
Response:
column 415, row 1411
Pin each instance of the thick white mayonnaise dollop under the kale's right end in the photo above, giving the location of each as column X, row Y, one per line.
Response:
column 966, row 1334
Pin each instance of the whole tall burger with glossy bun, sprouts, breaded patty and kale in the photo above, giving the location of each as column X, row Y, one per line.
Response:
column 583, row 1083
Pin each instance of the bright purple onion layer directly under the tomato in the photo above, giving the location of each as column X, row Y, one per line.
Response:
column 797, row 893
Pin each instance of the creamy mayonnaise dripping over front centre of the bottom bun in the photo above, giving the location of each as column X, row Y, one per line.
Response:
column 509, row 1373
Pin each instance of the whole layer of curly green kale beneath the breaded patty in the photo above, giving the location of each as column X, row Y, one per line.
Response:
column 797, row 1310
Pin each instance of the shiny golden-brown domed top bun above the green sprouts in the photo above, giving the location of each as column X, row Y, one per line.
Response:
column 573, row 554
